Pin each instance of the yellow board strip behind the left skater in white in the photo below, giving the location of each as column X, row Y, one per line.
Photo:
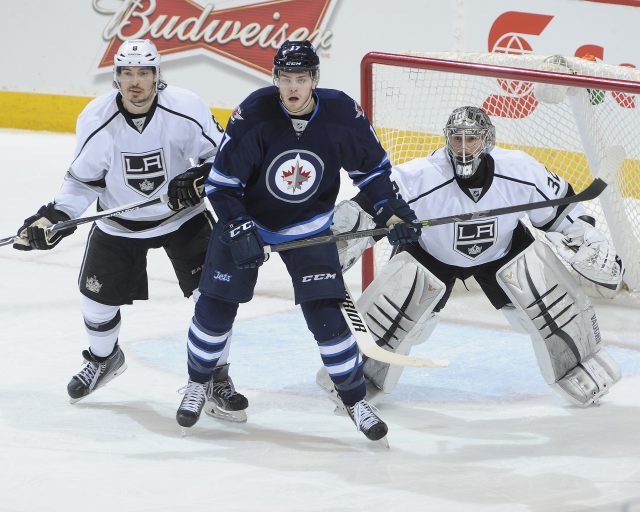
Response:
column 54, row 112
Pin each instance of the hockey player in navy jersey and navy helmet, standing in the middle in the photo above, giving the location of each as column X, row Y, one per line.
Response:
column 276, row 178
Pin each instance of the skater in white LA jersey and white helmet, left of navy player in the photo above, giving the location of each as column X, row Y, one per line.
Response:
column 134, row 142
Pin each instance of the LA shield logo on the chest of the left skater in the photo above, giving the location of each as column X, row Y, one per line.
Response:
column 144, row 172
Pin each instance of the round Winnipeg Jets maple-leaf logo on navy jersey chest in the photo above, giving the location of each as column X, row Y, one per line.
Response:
column 295, row 175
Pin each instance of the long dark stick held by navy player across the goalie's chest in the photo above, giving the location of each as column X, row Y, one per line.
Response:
column 591, row 192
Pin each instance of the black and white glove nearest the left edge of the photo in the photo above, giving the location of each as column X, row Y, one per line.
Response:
column 33, row 234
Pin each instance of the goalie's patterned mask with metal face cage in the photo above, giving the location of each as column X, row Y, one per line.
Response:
column 469, row 136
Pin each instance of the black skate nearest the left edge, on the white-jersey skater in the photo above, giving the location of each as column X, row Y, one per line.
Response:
column 95, row 373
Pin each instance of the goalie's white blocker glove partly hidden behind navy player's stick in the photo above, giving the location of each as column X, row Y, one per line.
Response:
column 348, row 216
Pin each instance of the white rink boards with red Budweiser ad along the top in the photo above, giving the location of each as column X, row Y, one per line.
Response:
column 56, row 47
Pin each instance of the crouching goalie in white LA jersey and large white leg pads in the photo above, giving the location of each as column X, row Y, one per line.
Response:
column 521, row 277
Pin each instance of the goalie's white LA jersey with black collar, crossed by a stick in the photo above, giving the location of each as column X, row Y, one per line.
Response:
column 429, row 186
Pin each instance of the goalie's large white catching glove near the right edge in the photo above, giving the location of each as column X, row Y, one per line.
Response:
column 589, row 253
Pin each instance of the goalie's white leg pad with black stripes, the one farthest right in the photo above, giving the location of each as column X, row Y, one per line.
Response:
column 561, row 322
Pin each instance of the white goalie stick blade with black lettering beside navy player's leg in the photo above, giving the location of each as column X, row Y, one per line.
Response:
column 370, row 348
